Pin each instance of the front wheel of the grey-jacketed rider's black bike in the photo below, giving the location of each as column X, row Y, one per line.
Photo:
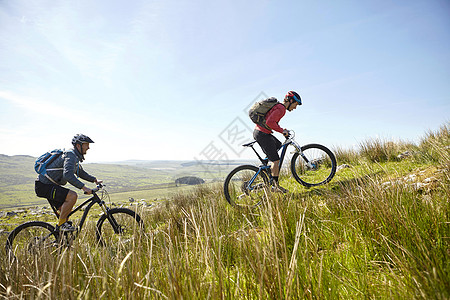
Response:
column 127, row 225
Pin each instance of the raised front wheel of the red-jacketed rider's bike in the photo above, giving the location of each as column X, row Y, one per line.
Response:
column 317, row 166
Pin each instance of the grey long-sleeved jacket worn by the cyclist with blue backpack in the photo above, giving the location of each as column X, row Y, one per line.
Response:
column 67, row 165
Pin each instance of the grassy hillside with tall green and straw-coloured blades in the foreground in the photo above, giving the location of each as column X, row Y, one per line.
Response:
column 379, row 230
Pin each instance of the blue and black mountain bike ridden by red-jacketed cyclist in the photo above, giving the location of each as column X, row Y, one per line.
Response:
column 311, row 165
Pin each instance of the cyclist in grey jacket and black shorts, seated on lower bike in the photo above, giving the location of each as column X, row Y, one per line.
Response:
column 65, row 169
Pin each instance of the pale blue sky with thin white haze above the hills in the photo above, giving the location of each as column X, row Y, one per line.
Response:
column 172, row 79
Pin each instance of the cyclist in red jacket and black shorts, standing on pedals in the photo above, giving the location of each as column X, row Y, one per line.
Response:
column 269, row 143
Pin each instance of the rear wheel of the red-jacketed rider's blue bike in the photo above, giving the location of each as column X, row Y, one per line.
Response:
column 238, row 194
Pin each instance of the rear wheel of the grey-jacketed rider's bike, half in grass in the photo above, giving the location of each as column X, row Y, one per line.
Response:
column 31, row 238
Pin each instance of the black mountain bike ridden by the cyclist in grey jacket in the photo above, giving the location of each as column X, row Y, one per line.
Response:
column 115, row 225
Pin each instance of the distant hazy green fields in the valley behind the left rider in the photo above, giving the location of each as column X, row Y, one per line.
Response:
column 148, row 180
